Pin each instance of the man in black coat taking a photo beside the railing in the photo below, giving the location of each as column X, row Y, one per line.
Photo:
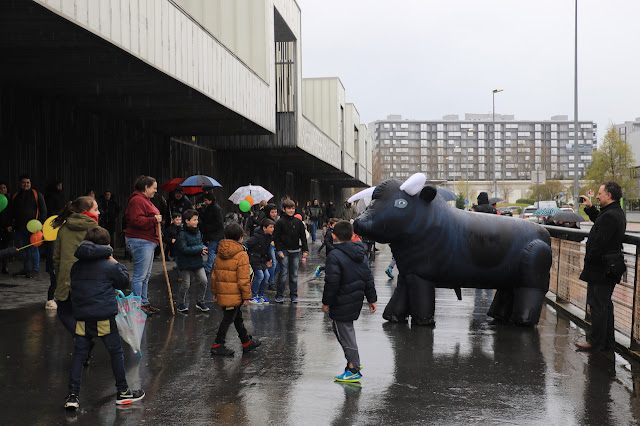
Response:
column 605, row 239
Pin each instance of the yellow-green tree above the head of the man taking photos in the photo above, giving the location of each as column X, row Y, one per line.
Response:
column 613, row 160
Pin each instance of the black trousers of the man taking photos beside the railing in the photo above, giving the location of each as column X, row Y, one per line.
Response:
column 599, row 299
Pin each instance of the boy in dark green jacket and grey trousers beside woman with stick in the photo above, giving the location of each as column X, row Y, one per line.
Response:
column 190, row 250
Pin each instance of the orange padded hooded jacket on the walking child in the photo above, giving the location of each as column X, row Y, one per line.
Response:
column 231, row 275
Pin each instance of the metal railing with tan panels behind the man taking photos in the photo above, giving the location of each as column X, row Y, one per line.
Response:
column 568, row 261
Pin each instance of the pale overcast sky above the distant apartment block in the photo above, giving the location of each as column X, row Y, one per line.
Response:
column 425, row 58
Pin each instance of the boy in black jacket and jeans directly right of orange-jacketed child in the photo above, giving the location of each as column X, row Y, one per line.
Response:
column 260, row 259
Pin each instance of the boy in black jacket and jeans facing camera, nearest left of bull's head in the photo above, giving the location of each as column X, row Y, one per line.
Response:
column 288, row 236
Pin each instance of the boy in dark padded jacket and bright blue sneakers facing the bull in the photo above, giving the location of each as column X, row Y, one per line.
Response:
column 347, row 281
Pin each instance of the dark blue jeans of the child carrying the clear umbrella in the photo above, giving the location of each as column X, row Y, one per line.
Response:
column 81, row 352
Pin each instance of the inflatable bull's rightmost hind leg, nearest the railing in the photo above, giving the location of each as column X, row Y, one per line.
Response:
column 534, row 283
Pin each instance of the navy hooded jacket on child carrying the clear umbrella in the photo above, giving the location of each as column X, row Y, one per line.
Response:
column 94, row 279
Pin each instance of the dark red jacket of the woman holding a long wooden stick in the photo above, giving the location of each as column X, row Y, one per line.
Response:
column 140, row 218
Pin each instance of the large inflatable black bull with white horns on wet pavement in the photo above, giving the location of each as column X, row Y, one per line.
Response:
column 436, row 245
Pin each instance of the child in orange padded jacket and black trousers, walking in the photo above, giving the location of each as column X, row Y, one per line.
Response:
column 231, row 287
